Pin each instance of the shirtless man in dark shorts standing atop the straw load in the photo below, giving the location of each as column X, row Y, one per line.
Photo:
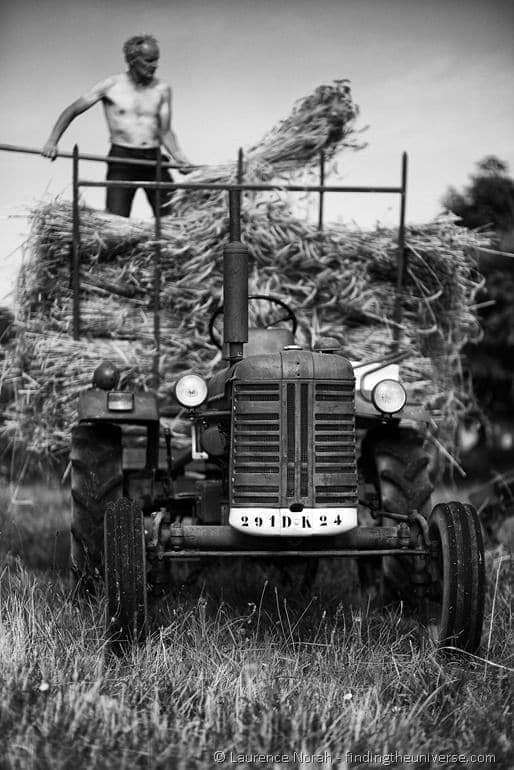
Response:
column 137, row 108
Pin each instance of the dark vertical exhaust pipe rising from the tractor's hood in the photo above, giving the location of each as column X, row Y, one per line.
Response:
column 235, row 280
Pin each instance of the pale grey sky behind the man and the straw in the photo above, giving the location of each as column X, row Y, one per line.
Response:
column 433, row 77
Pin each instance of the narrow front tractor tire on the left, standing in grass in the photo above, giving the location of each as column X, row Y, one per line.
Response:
column 125, row 574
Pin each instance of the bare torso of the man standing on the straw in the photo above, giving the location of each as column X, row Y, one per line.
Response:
column 133, row 112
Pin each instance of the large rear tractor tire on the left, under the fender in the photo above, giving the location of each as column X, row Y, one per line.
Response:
column 96, row 480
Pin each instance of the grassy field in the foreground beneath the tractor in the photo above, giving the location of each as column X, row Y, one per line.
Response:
column 239, row 664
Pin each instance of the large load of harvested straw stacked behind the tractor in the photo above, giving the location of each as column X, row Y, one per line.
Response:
column 341, row 282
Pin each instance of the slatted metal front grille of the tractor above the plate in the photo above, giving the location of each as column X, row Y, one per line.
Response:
column 293, row 442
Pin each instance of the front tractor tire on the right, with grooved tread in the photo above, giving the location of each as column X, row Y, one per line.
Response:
column 455, row 606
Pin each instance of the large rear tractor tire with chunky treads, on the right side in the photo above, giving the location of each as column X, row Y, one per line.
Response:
column 400, row 468
